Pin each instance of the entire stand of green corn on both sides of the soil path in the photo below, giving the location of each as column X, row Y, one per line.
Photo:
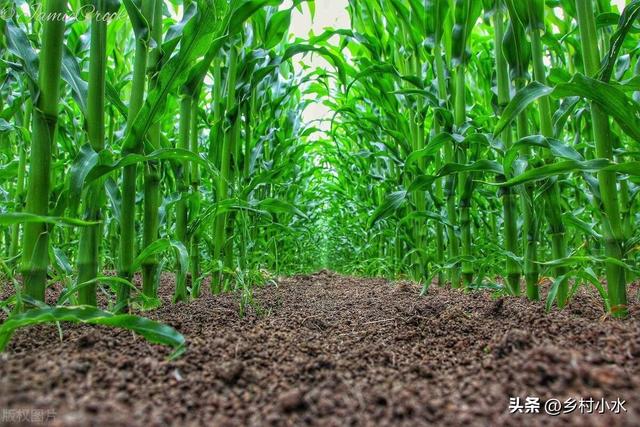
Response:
column 480, row 145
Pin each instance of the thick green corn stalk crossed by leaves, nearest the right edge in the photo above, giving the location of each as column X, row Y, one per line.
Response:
column 611, row 221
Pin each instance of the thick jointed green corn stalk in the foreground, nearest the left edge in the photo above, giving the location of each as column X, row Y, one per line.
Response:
column 35, row 256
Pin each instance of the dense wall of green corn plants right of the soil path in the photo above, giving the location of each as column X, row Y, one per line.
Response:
column 485, row 143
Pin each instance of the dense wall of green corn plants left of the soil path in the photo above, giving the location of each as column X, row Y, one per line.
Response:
column 112, row 182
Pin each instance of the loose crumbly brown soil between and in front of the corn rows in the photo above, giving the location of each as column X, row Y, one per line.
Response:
column 331, row 350
